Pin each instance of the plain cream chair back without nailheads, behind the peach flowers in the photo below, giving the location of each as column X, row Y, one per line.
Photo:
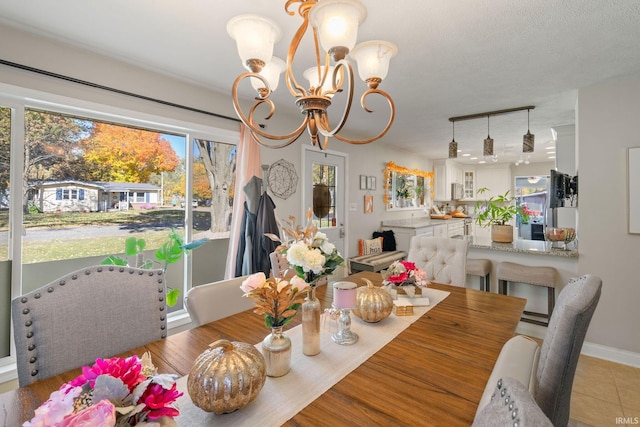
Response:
column 213, row 301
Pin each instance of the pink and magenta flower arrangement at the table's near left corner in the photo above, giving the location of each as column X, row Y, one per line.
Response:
column 117, row 391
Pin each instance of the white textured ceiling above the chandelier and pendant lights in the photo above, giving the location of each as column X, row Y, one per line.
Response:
column 455, row 57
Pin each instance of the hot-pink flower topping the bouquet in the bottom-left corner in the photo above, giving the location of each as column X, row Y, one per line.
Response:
column 129, row 370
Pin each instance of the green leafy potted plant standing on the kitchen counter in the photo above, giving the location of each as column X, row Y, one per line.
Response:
column 496, row 212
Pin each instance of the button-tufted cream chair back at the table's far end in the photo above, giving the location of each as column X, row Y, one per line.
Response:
column 443, row 259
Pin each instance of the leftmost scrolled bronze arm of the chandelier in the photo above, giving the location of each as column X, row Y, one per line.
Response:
column 253, row 126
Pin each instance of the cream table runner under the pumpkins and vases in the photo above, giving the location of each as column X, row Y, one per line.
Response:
column 281, row 398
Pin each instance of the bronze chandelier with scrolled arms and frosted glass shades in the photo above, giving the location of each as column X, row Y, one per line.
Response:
column 334, row 26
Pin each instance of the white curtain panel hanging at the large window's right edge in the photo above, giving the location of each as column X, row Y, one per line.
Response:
column 248, row 164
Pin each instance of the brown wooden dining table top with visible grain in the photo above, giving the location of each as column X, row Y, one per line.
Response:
column 432, row 373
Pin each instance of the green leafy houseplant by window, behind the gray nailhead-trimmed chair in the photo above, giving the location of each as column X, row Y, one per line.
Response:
column 170, row 252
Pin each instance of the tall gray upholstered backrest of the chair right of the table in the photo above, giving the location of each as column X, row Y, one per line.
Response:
column 562, row 344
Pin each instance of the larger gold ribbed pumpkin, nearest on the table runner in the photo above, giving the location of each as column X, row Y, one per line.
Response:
column 226, row 376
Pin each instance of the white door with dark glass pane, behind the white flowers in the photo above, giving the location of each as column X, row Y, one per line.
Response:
column 324, row 191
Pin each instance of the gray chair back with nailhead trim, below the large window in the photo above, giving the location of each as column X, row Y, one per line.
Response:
column 95, row 312
